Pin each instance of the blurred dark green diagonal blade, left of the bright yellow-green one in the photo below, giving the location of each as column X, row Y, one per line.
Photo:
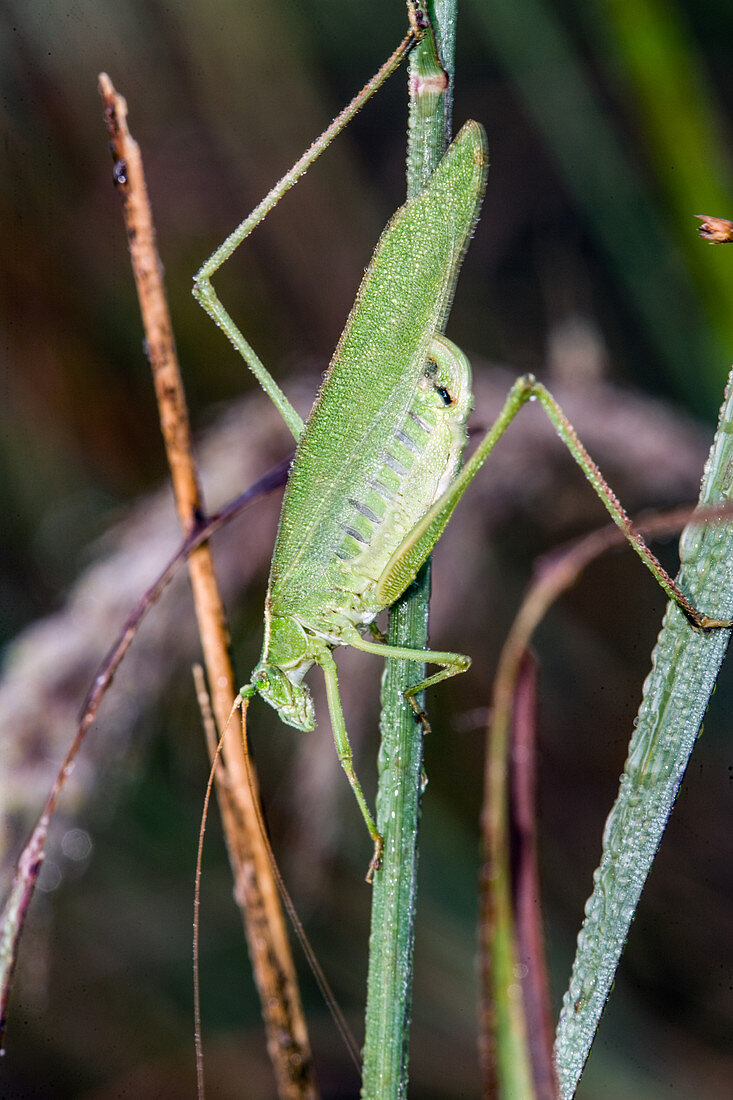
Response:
column 553, row 80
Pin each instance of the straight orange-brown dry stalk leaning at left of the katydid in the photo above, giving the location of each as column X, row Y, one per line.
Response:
column 256, row 889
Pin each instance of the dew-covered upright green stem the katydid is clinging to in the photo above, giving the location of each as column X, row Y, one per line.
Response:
column 401, row 755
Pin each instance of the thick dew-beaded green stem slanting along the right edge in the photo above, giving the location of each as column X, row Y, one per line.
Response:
column 685, row 665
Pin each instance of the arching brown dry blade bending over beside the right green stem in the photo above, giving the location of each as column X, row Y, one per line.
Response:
column 502, row 896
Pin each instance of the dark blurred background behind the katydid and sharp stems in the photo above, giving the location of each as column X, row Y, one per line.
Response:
column 609, row 130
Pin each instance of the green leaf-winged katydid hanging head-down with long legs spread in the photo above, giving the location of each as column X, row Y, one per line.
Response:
column 378, row 470
